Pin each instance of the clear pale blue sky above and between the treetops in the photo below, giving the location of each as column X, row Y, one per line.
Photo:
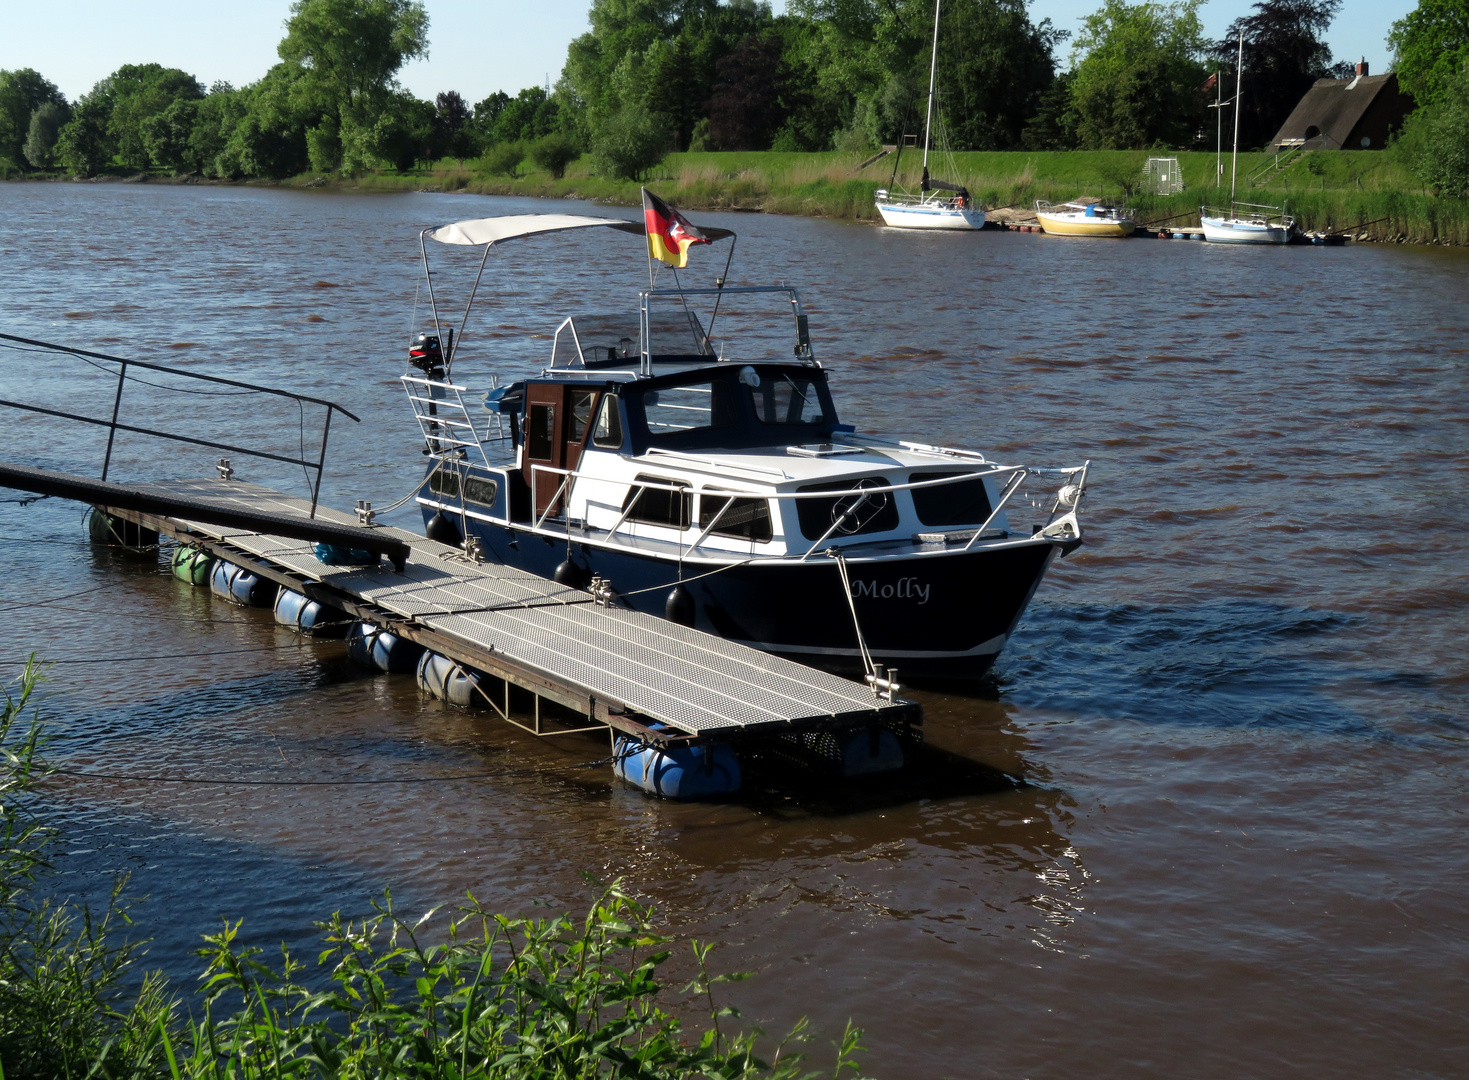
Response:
column 477, row 46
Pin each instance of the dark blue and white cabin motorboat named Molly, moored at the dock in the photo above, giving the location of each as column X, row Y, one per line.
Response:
column 716, row 484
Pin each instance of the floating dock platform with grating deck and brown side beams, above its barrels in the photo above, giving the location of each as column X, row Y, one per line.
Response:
column 654, row 681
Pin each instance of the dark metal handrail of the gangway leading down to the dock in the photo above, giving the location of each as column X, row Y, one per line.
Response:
column 129, row 371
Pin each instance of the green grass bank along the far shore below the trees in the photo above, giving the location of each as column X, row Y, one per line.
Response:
column 1326, row 190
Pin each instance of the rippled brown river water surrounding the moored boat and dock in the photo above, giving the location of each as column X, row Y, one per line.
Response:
column 1207, row 821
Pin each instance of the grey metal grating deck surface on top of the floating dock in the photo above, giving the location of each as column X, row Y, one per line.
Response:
column 509, row 621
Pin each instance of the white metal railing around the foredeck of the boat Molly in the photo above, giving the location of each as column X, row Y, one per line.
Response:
column 1061, row 516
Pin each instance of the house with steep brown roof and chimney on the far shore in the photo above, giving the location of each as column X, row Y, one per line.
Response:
column 1355, row 114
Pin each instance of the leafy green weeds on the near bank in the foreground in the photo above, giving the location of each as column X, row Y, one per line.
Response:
column 447, row 997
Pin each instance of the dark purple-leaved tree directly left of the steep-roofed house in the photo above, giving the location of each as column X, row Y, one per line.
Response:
column 1283, row 58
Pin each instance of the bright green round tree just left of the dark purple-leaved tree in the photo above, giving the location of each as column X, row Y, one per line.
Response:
column 1138, row 76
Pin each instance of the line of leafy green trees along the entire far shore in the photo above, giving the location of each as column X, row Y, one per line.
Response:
column 668, row 76
